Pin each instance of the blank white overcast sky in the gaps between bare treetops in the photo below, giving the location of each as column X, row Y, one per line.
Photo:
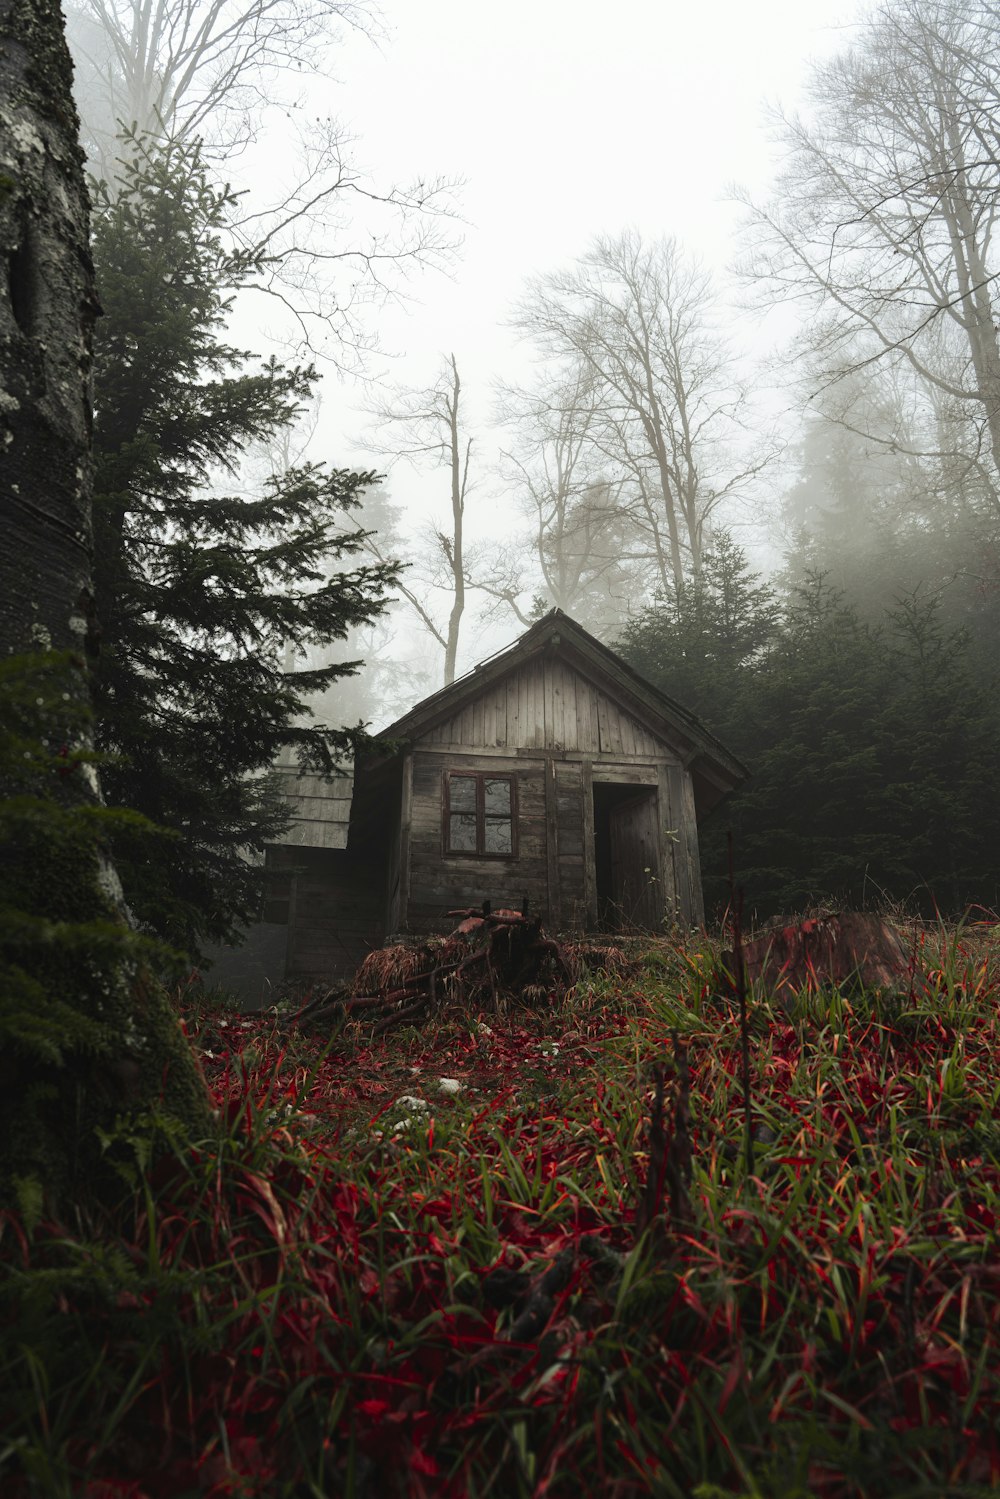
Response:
column 566, row 119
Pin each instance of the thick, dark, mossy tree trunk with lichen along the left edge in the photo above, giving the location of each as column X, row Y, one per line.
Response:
column 85, row 1037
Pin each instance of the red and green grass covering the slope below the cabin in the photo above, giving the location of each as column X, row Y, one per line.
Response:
column 834, row 1320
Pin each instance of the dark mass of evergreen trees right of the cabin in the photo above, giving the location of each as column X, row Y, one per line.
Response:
column 872, row 747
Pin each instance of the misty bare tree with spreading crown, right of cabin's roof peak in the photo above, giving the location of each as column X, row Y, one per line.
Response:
column 668, row 405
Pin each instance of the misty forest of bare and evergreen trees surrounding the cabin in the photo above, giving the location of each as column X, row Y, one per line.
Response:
column 801, row 549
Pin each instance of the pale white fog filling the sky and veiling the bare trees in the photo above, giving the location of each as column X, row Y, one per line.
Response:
column 472, row 214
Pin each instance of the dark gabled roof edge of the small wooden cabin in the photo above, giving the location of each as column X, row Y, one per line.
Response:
column 557, row 633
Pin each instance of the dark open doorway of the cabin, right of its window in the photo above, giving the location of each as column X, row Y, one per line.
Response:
column 626, row 857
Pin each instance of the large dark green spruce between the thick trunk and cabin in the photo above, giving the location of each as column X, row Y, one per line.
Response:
column 202, row 591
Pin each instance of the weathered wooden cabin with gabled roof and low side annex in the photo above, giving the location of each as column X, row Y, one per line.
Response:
column 551, row 774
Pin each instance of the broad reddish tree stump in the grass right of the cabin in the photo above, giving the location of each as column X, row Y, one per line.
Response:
column 830, row 950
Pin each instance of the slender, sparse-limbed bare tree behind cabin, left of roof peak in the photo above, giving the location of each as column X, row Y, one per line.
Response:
column 422, row 428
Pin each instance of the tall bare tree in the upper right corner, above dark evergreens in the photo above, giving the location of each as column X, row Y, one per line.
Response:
column 885, row 211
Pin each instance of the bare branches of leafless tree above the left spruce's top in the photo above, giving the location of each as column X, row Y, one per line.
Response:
column 332, row 244
